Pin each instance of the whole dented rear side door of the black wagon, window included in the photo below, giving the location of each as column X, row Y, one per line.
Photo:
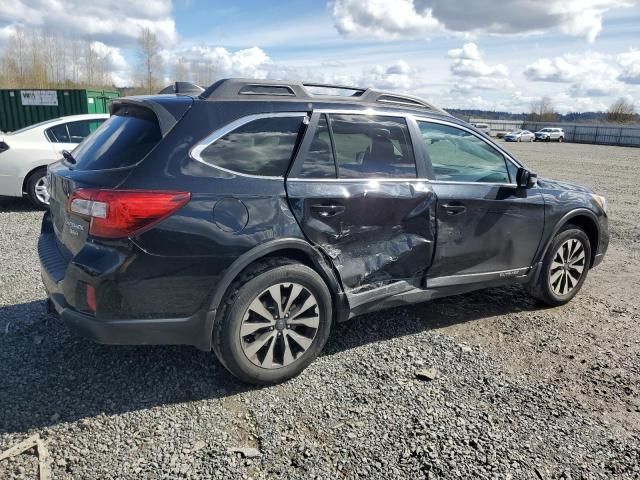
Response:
column 357, row 189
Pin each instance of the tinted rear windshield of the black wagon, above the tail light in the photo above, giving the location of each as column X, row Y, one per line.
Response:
column 123, row 140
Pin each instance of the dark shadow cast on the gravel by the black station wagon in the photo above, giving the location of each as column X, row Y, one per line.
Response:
column 51, row 376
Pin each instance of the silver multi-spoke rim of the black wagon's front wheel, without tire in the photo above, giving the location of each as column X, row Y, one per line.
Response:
column 567, row 267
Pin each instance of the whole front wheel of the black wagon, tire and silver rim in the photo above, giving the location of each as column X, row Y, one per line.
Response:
column 564, row 268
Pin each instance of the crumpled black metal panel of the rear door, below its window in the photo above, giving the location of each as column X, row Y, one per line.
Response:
column 376, row 232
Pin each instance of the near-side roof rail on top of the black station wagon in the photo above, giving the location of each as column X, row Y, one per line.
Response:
column 242, row 88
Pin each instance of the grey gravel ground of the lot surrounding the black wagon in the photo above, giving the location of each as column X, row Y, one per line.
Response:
column 520, row 391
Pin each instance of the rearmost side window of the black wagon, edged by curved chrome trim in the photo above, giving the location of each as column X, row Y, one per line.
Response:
column 260, row 147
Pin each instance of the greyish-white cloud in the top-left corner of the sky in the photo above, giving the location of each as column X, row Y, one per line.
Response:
column 112, row 22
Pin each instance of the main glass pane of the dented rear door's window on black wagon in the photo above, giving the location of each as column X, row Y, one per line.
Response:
column 372, row 146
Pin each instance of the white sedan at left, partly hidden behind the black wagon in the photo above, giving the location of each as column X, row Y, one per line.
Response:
column 25, row 153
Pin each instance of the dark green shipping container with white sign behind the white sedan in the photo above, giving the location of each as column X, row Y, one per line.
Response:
column 21, row 108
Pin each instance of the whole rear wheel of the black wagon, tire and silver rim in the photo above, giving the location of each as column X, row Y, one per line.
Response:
column 273, row 325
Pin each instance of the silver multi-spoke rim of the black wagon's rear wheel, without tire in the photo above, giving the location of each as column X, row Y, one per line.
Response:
column 280, row 325
